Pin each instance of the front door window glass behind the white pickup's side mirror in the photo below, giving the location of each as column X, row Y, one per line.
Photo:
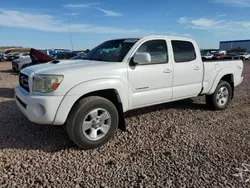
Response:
column 157, row 50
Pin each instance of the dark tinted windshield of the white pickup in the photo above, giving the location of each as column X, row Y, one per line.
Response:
column 112, row 50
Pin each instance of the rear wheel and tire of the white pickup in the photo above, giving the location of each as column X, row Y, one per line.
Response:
column 221, row 97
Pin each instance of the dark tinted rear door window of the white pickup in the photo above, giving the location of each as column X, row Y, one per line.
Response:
column 183, row 51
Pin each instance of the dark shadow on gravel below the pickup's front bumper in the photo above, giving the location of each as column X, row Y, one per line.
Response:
column 18, row 133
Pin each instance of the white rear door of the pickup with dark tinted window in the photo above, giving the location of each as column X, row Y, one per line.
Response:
column 188, row 69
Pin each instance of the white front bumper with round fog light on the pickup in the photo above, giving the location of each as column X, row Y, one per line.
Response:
column 38, row 109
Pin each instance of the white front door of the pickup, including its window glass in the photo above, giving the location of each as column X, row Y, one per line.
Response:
column 151, row 83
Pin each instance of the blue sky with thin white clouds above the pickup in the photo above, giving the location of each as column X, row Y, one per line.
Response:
column 44, row 24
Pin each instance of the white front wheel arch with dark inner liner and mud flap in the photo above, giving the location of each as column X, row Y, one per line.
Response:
column 116, row 93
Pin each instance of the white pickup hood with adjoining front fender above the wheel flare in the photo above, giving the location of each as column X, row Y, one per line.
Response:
column 76, row 72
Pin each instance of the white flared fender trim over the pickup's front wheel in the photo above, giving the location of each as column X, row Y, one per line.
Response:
column 84, row 88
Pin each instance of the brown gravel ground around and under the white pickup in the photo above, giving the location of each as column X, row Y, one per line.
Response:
column 181, row 144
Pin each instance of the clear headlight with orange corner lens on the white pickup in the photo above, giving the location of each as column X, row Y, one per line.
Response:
column 46, row 83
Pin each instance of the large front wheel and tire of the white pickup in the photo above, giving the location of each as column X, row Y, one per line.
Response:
column 92, row 122
